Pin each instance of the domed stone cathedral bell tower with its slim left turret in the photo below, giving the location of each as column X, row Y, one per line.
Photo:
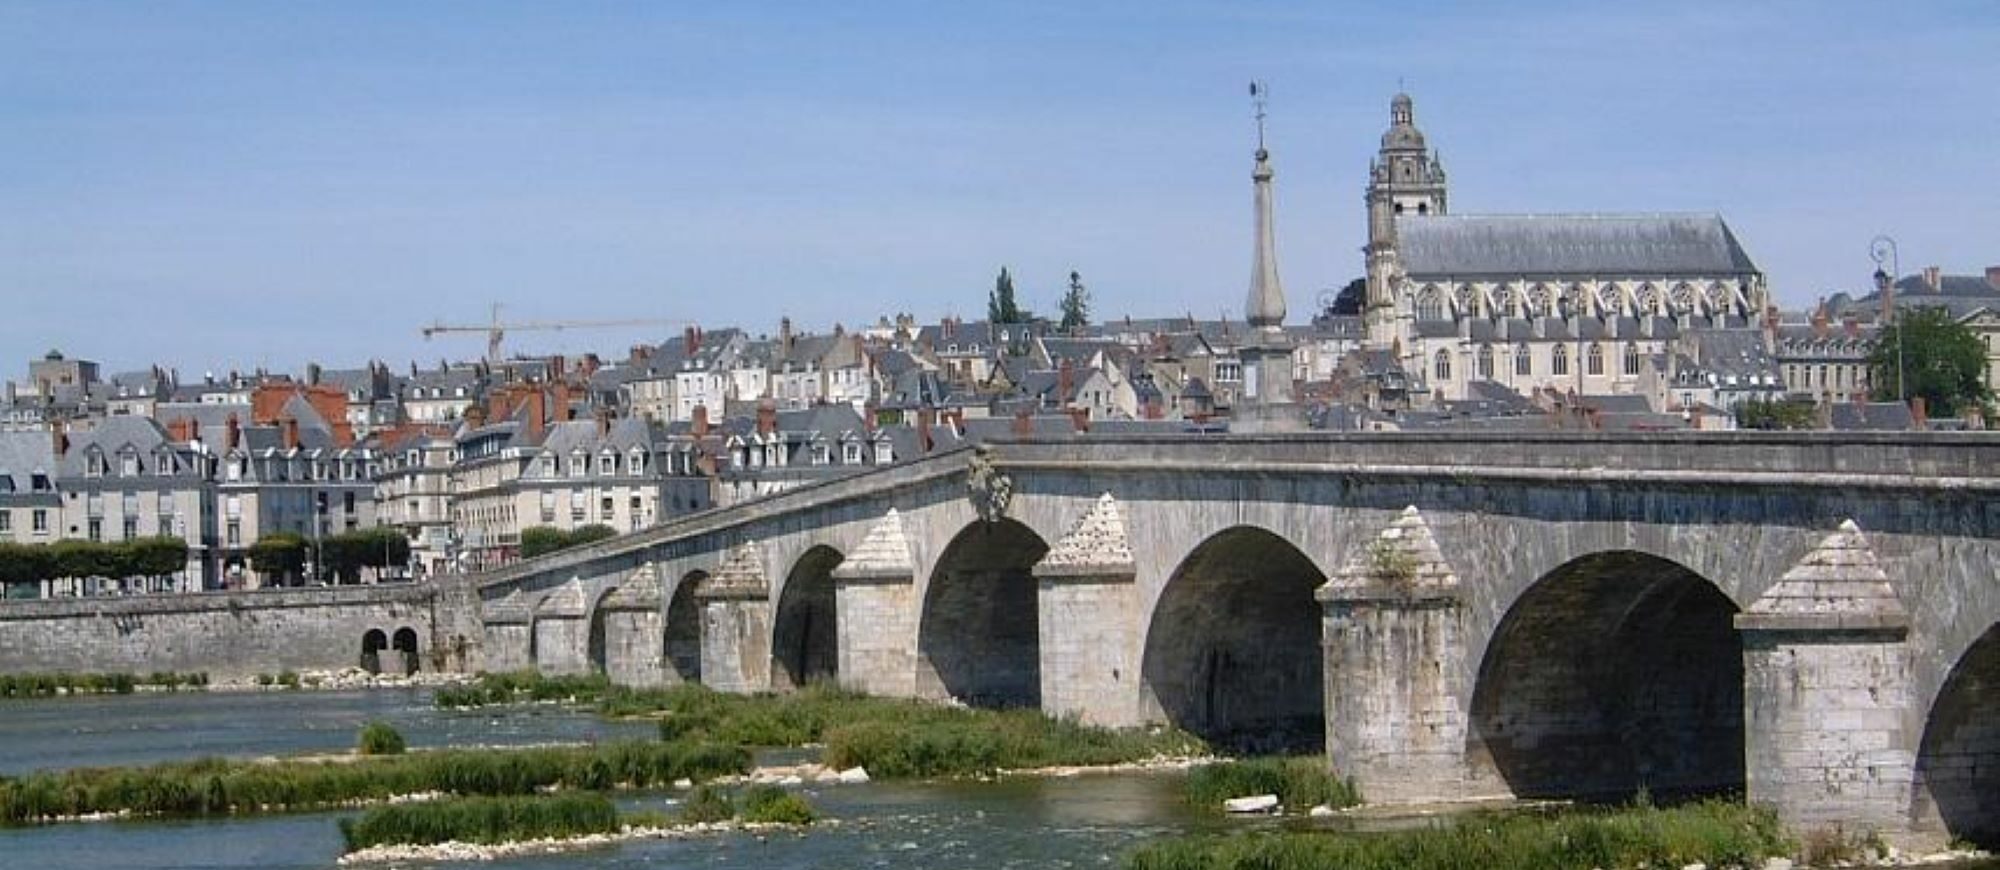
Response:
column 1407, row 179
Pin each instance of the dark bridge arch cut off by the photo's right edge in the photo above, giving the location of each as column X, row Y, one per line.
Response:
column 1959, row 759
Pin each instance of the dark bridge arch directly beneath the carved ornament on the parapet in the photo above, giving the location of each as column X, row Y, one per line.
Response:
column 981, row 629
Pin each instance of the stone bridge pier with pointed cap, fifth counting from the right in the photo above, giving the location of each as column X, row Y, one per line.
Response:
column 737, row 625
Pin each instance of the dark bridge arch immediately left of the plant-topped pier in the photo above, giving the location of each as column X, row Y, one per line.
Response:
column 1233, row 649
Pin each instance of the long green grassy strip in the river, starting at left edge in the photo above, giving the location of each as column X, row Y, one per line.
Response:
column 225, row 787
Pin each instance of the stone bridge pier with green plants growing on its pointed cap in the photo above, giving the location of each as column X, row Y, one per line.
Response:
column 1395, row 649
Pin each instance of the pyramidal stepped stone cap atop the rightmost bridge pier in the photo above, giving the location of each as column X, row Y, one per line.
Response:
column 1839, row 585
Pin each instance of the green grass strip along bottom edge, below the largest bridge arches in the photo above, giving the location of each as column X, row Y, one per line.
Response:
column 1639, row 837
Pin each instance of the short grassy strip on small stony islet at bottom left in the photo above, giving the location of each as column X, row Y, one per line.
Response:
column 481, row 821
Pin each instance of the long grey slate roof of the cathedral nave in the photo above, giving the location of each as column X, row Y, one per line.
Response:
column 1569, row 245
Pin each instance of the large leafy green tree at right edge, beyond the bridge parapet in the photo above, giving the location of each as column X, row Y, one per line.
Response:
column 1943, row 361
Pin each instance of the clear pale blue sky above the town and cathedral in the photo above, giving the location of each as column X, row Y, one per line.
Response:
column 229, row 185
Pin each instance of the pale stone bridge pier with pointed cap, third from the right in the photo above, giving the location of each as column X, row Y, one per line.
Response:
column 1087, row 603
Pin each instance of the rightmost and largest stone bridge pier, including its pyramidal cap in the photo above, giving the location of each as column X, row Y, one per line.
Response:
column 1827, row 697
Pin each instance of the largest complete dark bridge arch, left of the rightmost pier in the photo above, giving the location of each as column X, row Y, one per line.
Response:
column 1615, row 673
